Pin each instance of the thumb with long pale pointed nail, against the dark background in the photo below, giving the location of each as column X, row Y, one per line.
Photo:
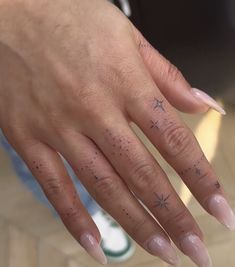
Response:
column 172, row 83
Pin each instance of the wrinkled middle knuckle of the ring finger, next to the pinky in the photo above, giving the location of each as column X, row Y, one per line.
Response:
column 105, row 186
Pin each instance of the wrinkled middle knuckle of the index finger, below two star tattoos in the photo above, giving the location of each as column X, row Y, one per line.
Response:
column 177, row 140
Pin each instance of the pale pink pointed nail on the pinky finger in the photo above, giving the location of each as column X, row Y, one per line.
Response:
column 93, row 248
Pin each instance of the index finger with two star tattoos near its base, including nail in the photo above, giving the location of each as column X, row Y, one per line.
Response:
column 177, row 144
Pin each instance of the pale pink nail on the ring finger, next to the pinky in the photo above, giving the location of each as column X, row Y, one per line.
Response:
column 161, row 247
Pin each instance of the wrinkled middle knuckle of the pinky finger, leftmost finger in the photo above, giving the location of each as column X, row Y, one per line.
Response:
column 53, row 187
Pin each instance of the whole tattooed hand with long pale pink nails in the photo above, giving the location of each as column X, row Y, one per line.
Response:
column 73, row 76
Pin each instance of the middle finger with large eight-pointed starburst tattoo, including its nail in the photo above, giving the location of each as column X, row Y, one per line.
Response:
column 149, row 183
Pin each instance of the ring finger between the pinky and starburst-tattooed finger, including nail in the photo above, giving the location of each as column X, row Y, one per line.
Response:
column 111, row 193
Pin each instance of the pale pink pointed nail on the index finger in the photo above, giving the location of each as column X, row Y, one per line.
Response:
column 219, row 208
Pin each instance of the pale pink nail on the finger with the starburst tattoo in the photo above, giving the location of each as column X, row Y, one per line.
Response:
column 194, row 248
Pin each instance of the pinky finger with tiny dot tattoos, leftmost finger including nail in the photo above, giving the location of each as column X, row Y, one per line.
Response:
column 49, row 170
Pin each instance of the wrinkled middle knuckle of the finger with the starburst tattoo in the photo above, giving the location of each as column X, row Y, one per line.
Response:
column 142, row 175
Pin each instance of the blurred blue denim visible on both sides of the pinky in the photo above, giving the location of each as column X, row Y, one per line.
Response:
column 31, row 183
